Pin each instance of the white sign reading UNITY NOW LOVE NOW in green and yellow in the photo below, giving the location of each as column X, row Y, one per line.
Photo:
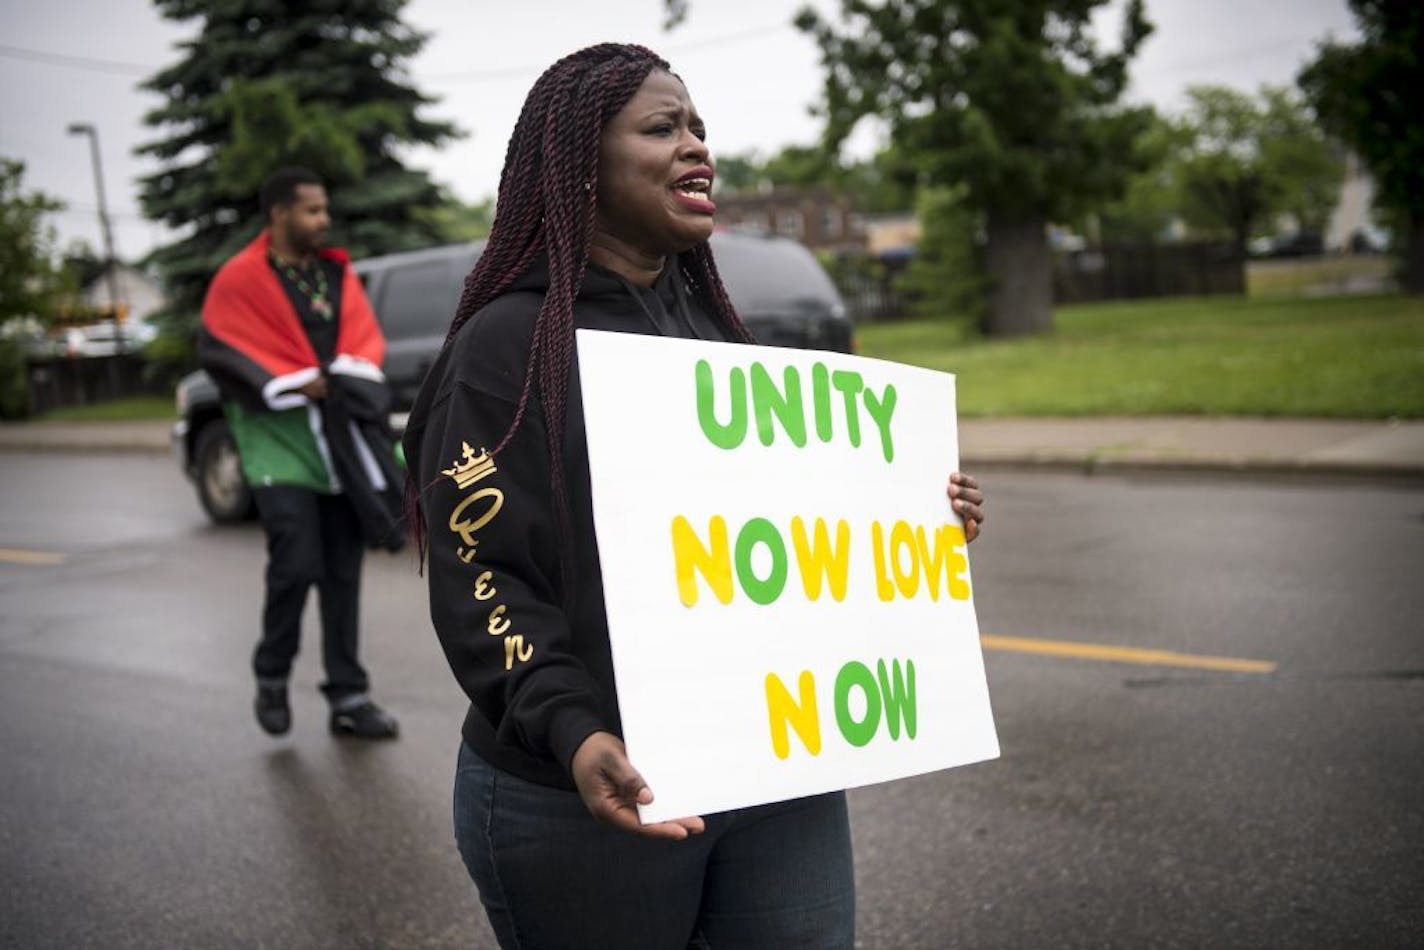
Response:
column 790, row 596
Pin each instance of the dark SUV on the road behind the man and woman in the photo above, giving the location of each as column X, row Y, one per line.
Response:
column 777, row 286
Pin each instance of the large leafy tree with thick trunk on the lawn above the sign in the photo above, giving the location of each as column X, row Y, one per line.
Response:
column 1015, row 102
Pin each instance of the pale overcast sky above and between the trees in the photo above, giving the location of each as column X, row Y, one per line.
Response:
column 750, row 72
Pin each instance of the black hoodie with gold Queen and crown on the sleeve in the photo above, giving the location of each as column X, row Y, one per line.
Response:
column 539, row 674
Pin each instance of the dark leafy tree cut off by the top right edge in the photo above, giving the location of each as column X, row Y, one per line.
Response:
column 1368, row 93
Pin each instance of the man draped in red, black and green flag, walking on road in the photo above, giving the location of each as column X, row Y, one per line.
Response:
column 294, row 345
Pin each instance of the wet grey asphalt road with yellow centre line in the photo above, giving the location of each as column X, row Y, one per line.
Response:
column 1136, row 804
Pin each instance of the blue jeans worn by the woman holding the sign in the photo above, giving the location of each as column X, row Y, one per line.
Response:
column 552, row 877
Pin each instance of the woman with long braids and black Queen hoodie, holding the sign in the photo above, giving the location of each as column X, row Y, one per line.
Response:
column 604, row 217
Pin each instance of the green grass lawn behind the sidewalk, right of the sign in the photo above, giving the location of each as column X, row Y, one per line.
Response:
column 1352, row 357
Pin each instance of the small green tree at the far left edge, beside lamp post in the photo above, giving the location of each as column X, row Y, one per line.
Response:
column 32, row 278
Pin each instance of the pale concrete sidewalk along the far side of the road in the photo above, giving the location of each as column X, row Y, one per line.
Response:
column 1185, row 444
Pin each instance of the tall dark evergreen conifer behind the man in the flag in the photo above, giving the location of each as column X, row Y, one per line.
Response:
column 267, row 83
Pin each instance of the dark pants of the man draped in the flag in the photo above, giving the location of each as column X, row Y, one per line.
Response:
column 313, row 539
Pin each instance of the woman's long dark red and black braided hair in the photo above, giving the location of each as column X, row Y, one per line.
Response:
column 546, row 207
